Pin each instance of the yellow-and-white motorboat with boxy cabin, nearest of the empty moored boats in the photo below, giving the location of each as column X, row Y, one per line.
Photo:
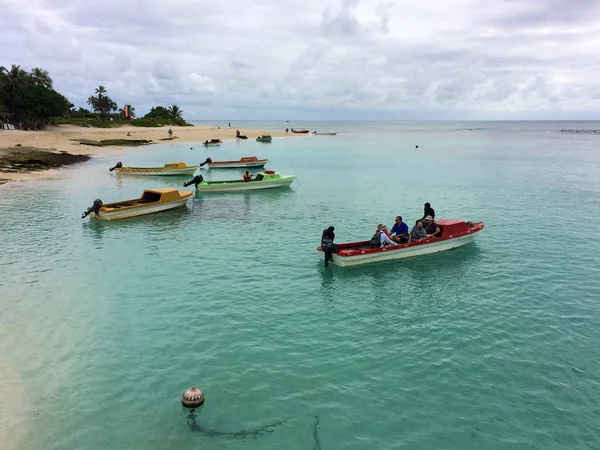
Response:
column 151, row 201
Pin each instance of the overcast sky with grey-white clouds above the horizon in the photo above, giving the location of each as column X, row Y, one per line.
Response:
column 318, row 59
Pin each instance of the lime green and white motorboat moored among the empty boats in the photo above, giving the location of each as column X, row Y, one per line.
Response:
column 264, row 180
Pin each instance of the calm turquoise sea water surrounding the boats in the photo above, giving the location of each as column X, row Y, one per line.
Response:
column 493, row 345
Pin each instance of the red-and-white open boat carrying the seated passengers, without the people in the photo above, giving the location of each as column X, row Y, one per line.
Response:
column 454, row 233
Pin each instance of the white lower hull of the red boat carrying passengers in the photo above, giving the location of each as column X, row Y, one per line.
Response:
column 387, row 255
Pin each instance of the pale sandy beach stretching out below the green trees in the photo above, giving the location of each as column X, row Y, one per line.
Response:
column 65, row 138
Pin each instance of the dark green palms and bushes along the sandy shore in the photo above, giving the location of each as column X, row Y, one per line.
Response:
column 29, row 101
